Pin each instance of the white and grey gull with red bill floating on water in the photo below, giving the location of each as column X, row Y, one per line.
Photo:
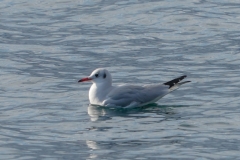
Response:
column 103, row 93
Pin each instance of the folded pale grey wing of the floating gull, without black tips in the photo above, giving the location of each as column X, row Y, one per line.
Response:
column 135, row 95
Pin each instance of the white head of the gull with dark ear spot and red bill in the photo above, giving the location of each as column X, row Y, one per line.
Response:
column 99, row 76
